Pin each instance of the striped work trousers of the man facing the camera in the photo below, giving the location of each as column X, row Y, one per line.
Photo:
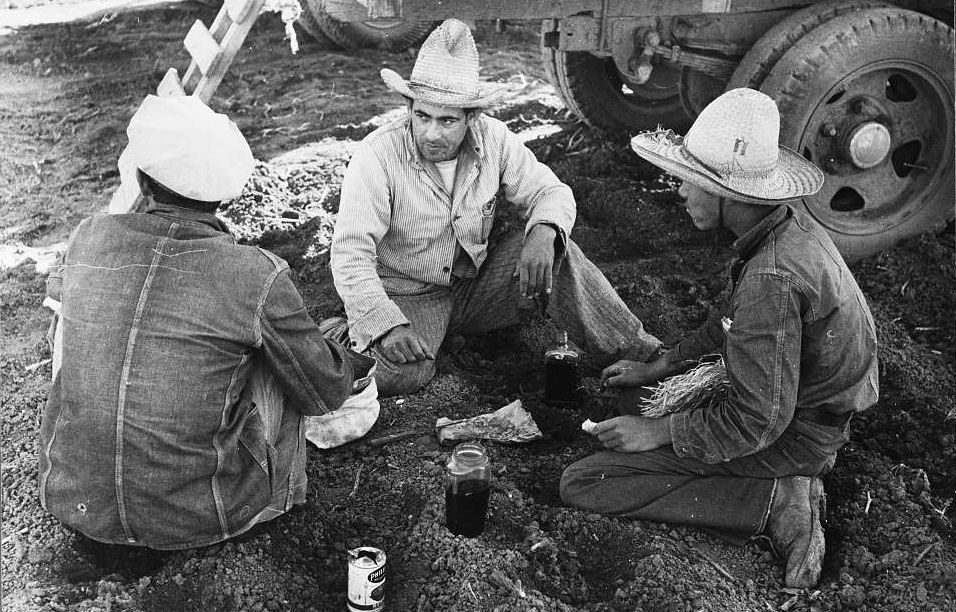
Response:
column 582, row 302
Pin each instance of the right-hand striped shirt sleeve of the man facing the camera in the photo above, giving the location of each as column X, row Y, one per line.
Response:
column 532, row 186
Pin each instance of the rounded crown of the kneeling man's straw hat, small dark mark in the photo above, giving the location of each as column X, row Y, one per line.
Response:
column 737, row 134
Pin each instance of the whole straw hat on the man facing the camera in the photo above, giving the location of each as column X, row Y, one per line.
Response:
column 446, row 71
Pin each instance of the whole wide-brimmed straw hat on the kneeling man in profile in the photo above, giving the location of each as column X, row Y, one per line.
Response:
column 732, row 150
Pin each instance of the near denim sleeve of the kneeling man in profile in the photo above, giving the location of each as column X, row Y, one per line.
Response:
column 763, row 365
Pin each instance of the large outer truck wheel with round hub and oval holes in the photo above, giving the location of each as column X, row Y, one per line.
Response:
column 869, row 97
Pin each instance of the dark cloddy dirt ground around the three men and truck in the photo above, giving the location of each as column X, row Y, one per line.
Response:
column 66, row 95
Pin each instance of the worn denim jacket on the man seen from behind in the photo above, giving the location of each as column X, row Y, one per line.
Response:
column 144, row 439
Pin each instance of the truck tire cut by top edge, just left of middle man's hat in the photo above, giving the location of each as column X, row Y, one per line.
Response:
column 392, row 35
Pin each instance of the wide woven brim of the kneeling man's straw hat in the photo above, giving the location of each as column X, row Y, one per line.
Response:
column 791, row 179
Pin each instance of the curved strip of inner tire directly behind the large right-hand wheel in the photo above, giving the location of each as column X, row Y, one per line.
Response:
column 767, row 51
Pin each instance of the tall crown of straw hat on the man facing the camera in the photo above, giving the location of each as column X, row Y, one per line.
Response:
column 448, row 60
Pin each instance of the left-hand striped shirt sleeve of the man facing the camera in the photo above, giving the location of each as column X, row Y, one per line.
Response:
column 363, row 219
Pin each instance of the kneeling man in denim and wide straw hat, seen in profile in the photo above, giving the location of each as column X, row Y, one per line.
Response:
column 797, row 339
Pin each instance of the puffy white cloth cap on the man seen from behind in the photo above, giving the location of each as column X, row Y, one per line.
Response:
column 188, row 148
